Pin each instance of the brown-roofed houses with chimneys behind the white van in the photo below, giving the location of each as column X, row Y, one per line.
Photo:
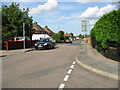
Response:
column 39, row 30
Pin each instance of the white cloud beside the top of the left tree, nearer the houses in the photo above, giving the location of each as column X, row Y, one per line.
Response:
column 50, row 5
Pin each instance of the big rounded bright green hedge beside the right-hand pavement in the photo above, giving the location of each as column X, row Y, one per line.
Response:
column 107, row 30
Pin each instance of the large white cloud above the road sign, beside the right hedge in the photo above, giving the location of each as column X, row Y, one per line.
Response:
column 95, row 12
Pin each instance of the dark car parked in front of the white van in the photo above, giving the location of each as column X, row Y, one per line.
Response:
column 45, row 43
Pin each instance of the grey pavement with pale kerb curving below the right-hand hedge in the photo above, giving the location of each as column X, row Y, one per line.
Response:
column 94, row 61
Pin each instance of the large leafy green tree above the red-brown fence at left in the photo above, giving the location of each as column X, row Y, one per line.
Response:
column 12, row 21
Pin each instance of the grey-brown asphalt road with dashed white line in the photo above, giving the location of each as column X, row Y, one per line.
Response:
column 49, row 69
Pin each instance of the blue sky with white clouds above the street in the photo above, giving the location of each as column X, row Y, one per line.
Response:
column 66, row 16
